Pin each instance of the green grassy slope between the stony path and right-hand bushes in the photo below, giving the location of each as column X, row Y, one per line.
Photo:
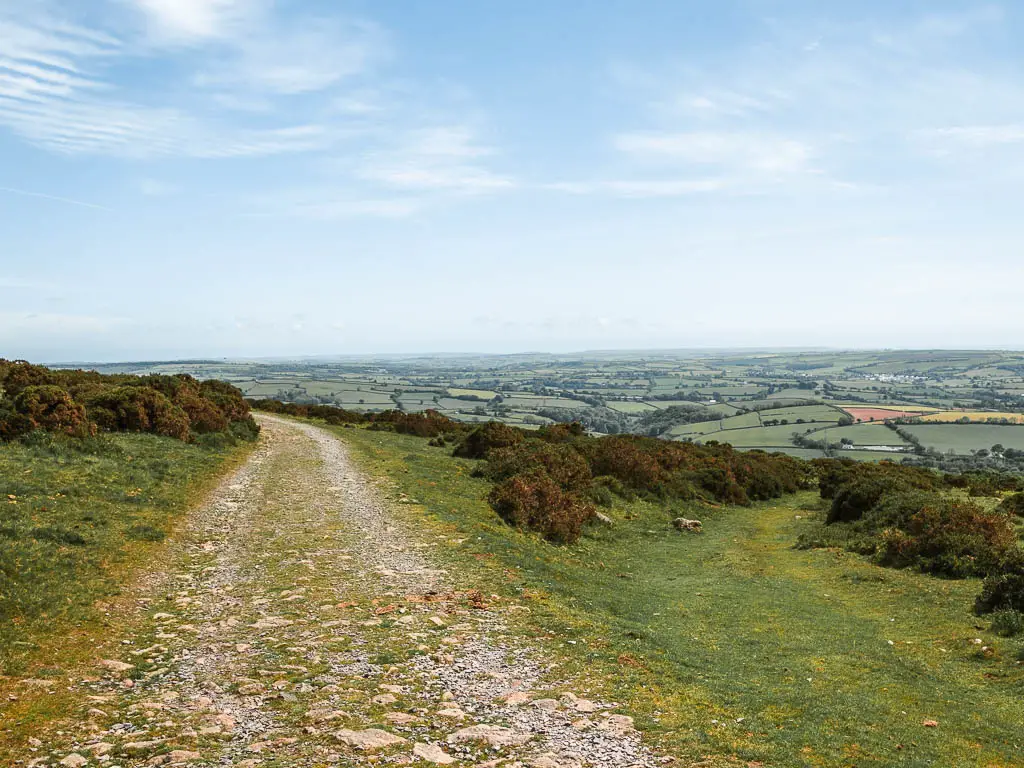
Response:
column 735, row 648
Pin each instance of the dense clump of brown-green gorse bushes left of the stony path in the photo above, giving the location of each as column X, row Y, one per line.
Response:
column 81, row 403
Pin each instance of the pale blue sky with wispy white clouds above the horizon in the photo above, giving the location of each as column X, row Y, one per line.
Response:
column 195, row 179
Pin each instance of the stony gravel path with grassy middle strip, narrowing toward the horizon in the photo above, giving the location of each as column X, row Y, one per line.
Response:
column 304, row 626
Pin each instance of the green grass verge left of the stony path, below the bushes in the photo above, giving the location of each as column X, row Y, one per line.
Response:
column 78, row 520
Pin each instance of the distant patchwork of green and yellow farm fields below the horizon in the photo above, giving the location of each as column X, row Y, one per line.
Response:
column 753, row 400
